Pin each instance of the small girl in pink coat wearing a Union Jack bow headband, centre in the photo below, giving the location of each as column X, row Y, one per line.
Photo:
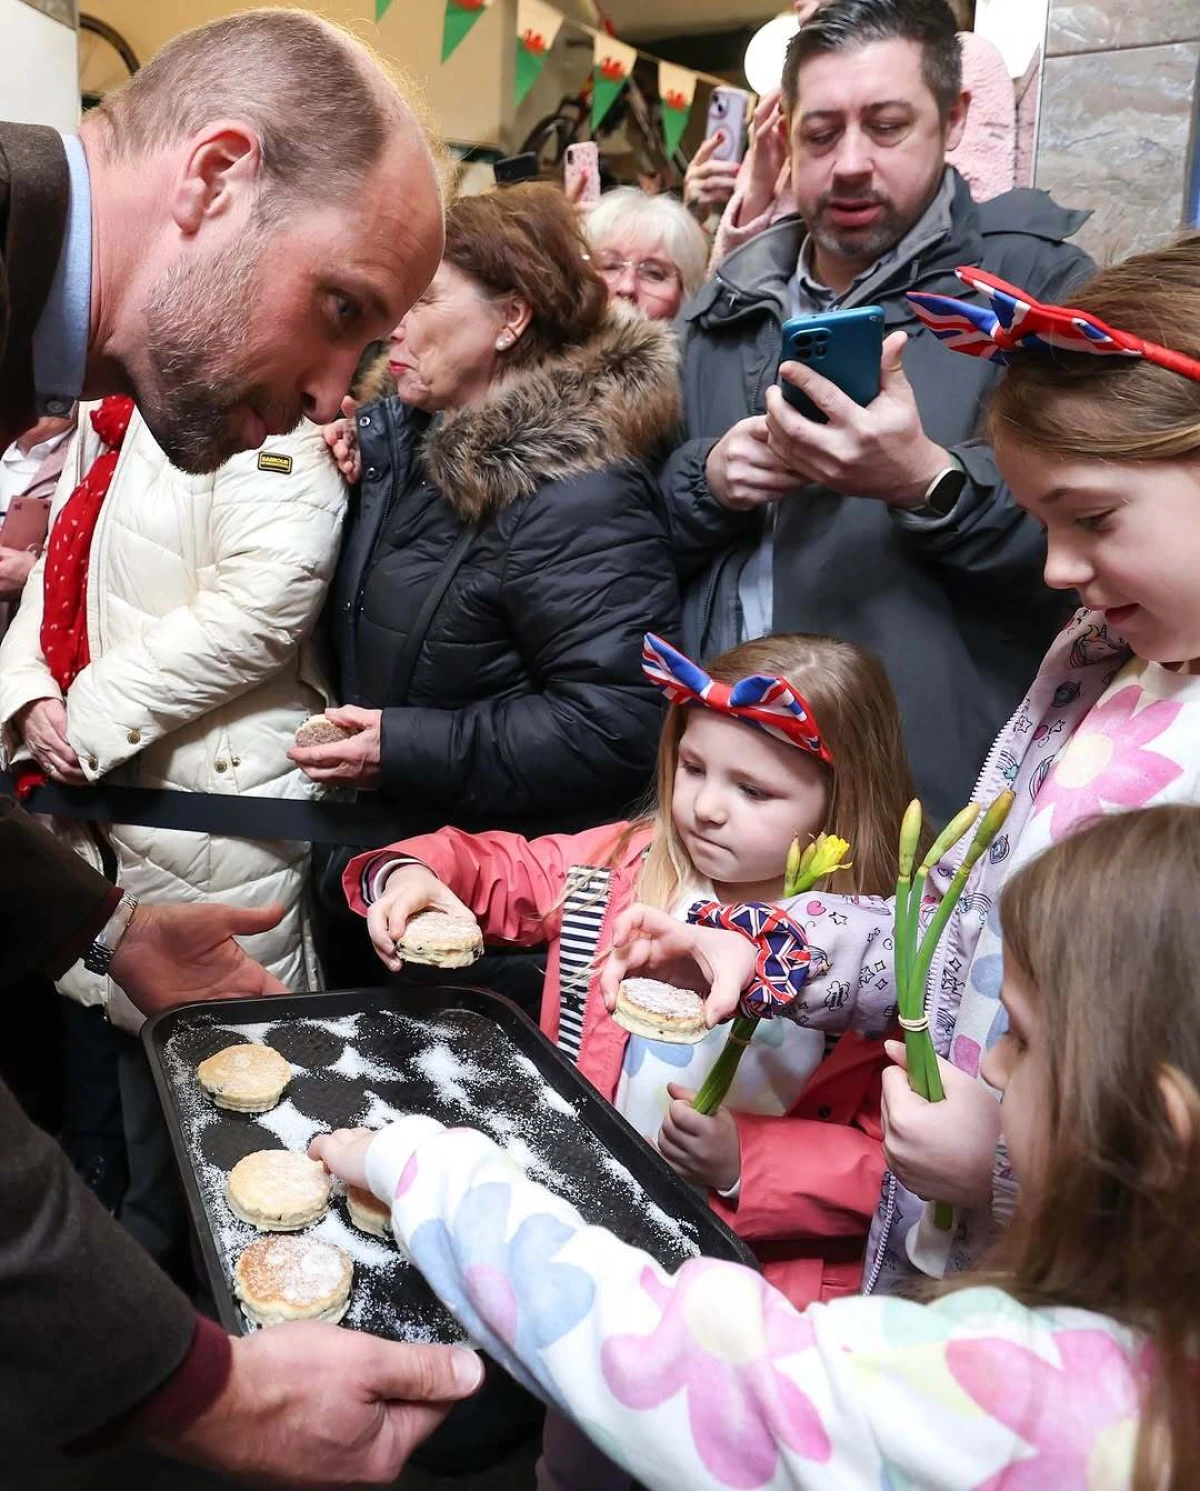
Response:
column 779, row 739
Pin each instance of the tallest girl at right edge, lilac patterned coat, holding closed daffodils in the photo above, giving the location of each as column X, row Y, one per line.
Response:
column 1105, row 453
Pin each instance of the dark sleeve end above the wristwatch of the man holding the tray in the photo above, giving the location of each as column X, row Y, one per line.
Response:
column 51, row 903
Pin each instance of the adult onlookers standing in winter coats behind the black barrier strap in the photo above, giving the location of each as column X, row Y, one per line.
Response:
column 567, row 444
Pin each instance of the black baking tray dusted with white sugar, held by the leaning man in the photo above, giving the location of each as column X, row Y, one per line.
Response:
column 341, row 1086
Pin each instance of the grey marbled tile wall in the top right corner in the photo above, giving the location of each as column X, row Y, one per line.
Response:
column 1119, row 107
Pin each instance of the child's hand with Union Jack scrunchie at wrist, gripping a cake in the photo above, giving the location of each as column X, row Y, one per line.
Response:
column 716, row 964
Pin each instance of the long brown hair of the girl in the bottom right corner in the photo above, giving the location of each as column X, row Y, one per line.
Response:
column 1104, row 933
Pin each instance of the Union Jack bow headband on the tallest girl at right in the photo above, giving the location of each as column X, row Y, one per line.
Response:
column 1011, row 320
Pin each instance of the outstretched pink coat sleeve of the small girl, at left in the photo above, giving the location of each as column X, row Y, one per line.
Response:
column 515, row 886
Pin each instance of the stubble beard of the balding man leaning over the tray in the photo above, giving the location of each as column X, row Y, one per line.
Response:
column 198, row 315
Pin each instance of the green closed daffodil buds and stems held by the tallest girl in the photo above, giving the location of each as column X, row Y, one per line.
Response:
column 915, row 955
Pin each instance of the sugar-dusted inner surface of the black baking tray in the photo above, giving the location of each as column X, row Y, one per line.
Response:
column 461, row 1067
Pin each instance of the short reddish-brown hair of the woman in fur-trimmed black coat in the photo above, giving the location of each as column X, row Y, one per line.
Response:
column 527, row 241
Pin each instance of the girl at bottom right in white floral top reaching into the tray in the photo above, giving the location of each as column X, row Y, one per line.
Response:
column 1067, row 1362
